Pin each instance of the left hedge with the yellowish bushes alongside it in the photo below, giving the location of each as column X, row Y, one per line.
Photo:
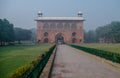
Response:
column 35, row 68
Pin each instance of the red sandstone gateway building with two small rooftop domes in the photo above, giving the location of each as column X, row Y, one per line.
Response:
column 60, row 29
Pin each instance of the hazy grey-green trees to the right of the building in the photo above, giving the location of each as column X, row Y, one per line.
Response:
column 109, row 33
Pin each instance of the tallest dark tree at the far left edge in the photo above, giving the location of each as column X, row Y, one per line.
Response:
column 6, row 32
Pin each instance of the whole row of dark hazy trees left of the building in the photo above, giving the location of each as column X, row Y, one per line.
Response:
column 9, row 34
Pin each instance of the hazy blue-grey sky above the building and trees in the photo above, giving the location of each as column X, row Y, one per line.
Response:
column 96, row 12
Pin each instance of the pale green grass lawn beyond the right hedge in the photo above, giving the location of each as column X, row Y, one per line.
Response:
column 106, row 47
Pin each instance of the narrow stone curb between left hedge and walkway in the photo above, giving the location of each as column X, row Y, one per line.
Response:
column 48, row 68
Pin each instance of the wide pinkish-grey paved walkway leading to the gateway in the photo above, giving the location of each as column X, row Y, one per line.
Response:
column 71, row 63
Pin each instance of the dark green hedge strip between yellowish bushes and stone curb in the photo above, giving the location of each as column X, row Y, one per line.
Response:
column 37, row 69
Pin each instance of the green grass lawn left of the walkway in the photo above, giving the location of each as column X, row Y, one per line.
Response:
column 13, row 57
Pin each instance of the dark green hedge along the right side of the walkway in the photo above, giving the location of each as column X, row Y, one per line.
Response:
column 112, row 56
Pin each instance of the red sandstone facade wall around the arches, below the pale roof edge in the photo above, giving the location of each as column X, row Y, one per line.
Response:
column 66, row 33
